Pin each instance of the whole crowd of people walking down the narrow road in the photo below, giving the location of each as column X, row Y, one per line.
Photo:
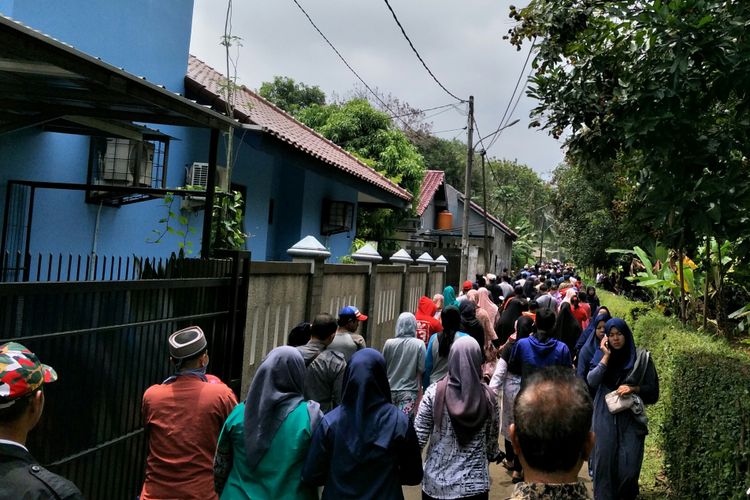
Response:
column 533, row 357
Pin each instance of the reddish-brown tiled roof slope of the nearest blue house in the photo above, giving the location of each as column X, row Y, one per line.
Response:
column 252, row 108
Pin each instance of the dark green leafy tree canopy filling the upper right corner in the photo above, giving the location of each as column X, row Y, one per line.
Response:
column 658, row 90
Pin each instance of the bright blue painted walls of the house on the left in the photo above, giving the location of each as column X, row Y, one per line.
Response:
column 151, row 38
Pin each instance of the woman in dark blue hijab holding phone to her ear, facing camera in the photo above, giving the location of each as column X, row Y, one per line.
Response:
column 618, row 453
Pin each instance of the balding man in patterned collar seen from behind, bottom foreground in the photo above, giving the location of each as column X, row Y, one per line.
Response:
column 551, row 434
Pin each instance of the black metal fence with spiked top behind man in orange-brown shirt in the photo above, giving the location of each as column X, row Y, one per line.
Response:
column 107, row 341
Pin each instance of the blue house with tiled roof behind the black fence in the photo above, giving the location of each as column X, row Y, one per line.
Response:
column 89, row 145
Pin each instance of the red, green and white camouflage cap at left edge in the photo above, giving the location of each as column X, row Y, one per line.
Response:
column 21, row 373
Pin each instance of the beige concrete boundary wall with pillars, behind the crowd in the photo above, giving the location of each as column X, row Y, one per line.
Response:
column 279, row 294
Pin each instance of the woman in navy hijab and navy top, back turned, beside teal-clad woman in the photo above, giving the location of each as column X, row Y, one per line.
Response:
column 365, row 448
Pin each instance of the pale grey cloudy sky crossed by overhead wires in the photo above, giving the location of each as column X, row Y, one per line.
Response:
column 461, row 41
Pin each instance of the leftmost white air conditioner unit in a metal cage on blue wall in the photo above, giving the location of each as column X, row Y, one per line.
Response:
column 126, row 160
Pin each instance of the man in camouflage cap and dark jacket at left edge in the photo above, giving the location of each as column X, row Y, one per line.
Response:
column 22, row 378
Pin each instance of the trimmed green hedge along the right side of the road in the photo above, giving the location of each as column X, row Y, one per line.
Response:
column 700, row 428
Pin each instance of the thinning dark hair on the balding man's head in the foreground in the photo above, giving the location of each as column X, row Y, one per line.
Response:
column 552, row 417
